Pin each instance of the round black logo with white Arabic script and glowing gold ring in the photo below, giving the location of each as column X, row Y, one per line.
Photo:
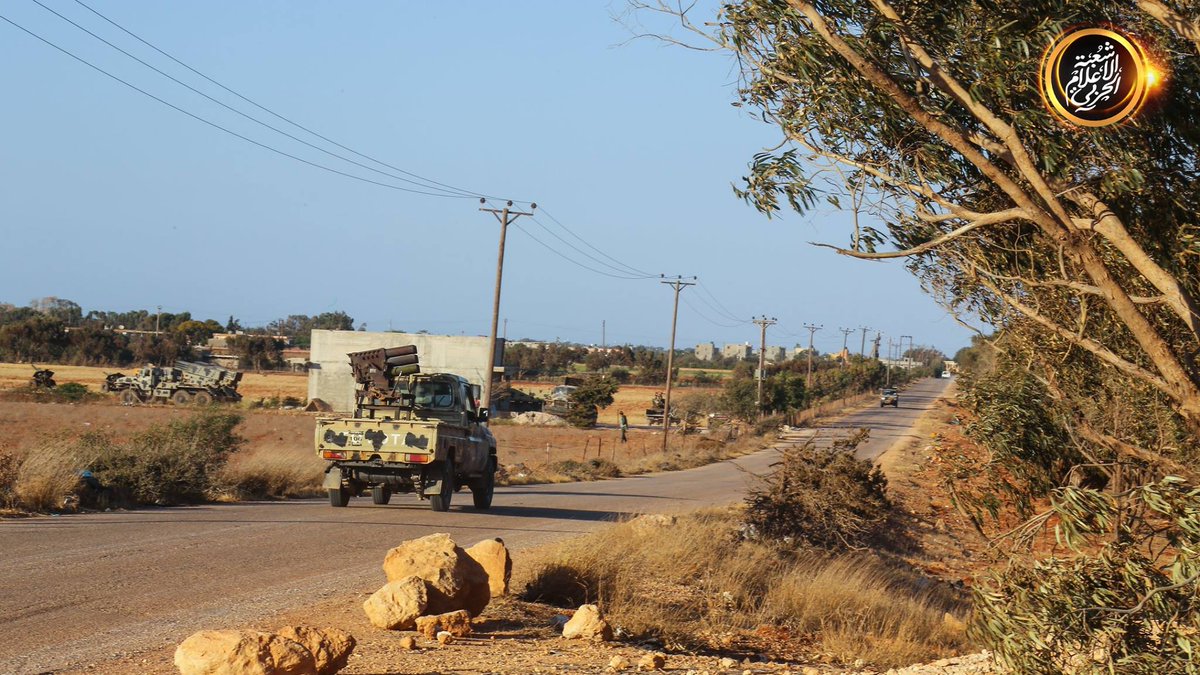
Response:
column 1096, row 77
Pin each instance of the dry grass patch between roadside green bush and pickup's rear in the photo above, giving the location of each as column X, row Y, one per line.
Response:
column 272, row 475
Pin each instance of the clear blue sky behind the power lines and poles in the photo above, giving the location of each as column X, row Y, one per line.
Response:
column 118, row 202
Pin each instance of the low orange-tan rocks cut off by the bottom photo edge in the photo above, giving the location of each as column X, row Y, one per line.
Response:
column 295, row 650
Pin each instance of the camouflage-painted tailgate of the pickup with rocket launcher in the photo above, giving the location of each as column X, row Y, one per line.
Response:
column 388, row 440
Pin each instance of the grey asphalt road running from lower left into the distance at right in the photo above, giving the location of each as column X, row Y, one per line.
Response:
column 86, row 588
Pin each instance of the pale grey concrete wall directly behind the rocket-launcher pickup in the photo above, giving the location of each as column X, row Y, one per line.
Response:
column 329, row 369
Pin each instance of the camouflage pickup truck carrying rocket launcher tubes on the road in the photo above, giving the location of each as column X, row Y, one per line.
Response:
column 411, row 433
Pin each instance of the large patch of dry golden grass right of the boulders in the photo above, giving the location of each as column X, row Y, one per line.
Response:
column 695, row 584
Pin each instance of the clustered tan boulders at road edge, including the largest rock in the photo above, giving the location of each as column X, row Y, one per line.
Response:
column 435, row 586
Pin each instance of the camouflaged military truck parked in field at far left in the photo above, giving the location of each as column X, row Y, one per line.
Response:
column 185, row 384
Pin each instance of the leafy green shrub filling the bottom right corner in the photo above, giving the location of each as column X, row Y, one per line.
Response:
column 1127, row 607
